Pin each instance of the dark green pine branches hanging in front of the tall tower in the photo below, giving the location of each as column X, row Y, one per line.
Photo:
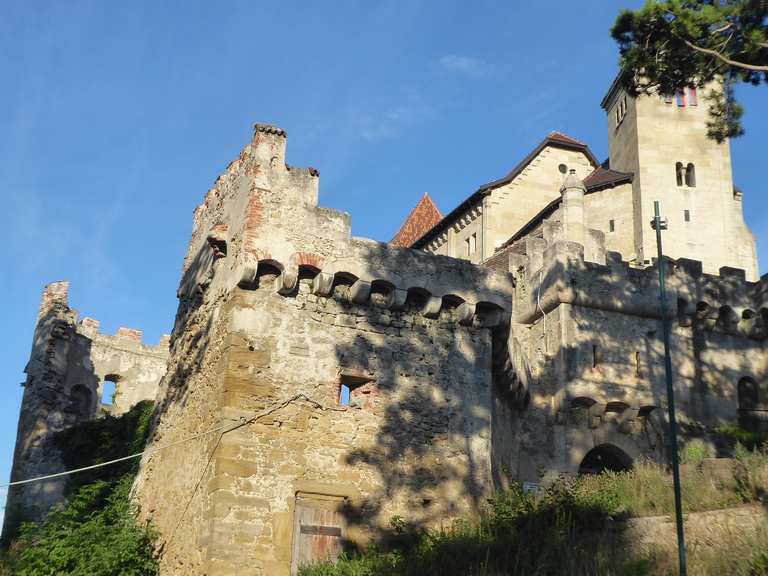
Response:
column 668, row 45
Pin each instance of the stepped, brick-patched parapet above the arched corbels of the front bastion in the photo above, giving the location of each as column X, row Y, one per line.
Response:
column 263, row 213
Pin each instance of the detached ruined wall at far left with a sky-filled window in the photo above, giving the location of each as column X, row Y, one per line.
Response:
column 66, row 373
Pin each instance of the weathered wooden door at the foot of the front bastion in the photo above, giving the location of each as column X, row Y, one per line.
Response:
column 318, row 529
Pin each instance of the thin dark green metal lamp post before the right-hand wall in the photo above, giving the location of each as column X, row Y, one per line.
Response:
column 659, row 224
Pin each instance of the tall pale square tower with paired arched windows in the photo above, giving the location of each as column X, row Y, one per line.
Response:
column 663, row 141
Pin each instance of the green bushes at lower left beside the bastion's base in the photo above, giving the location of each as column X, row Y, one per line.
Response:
column 95, row 532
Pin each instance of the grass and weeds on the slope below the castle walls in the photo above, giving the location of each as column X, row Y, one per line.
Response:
column 572, row 530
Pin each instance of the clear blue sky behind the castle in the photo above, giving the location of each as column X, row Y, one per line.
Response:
column 117, row 117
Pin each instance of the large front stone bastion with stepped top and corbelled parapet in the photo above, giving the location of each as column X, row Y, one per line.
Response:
column 277, row 299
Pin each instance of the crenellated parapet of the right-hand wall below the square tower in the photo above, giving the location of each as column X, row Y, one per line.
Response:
column 550, row 274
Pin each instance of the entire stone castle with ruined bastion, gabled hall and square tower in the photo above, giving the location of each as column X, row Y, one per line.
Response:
column 515, row 339
